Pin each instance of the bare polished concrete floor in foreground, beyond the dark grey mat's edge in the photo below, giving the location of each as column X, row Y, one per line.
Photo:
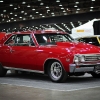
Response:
column 13, row 92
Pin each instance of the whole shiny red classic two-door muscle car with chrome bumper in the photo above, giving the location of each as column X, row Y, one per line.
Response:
column 53, row 53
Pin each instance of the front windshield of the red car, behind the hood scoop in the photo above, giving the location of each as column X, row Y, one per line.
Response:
column 46, row 39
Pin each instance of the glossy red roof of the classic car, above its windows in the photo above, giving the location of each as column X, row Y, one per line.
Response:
column 40, row 32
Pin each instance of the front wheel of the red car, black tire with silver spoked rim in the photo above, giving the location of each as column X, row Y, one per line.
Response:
column 56, row 72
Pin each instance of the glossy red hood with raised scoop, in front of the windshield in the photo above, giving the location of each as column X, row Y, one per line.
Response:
column 78, row 47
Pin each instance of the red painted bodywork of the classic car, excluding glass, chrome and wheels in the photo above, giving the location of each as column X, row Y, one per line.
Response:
column 34, row 57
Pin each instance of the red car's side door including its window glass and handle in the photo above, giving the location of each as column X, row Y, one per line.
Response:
column 22, row 54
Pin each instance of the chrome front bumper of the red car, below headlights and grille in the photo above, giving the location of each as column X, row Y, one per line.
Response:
column 84, row 68
